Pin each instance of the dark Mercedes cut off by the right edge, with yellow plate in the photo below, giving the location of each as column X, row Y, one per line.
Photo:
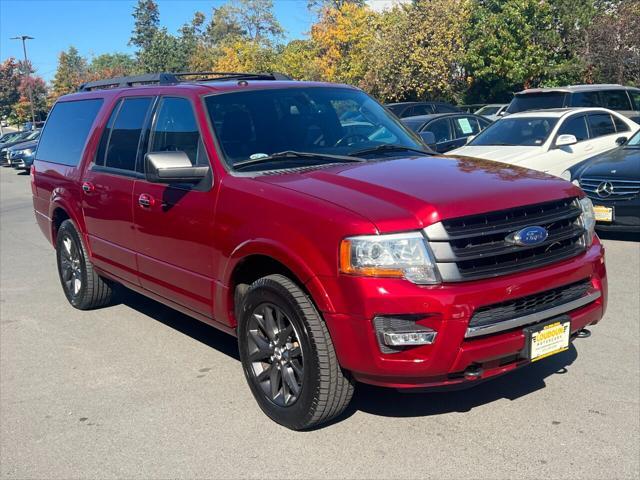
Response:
column 612, row 181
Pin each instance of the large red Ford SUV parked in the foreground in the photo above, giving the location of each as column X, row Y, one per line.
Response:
column 304, row 219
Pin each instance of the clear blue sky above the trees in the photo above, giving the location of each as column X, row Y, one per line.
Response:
column 100, row 26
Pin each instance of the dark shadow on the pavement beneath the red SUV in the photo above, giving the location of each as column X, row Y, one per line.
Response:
column 376, row 400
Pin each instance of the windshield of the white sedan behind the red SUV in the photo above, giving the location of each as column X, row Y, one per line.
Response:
column 529, row 131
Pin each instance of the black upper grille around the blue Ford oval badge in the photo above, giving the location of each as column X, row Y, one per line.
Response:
column 475, row 247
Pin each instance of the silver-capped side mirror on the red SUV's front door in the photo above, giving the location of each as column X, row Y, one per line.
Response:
column 172, row 167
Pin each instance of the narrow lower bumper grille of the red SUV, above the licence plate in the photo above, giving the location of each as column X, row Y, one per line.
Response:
column 529, row 305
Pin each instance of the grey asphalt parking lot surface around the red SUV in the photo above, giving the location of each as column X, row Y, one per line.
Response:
column 137, row 390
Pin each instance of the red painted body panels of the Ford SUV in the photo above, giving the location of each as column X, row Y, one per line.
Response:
column 184, row 248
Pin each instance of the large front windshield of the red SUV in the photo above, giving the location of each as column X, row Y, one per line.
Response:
column 256, row 124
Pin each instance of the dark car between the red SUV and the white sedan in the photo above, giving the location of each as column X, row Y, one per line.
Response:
column 450, row 130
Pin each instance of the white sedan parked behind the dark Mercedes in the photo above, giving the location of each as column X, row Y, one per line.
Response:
column 550, row 141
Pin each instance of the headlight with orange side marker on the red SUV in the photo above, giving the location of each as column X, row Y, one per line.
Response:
column 402, row 255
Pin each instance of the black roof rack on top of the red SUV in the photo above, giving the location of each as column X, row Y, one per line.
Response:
column 166, row 78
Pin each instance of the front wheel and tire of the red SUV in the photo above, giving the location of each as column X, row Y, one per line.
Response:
column 288, row 357
